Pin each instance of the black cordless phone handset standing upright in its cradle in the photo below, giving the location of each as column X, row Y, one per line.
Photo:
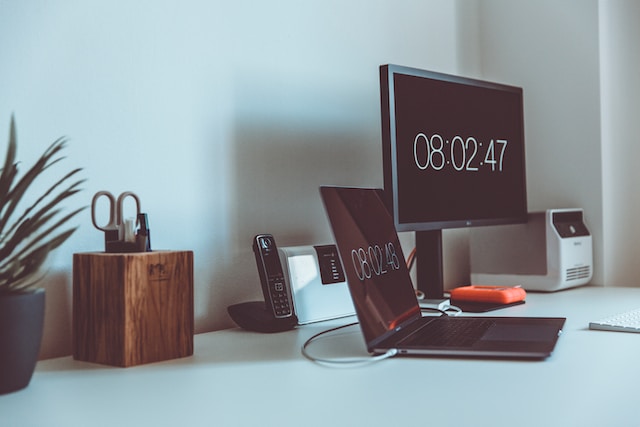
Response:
column 277, row 297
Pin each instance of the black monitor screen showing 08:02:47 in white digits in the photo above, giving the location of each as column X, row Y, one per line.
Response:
column 459, row 151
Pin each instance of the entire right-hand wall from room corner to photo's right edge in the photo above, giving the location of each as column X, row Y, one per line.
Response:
column 578, row 62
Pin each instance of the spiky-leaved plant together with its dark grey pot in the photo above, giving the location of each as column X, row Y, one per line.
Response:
column 30, row 228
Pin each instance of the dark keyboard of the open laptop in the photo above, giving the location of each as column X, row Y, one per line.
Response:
column 449, row 332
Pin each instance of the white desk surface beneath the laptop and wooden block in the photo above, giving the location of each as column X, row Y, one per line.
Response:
column 238, row 378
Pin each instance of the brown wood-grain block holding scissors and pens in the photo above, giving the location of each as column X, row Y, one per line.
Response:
column 132, row 308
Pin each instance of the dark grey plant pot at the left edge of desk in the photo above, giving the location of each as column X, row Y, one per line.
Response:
column 21, row 323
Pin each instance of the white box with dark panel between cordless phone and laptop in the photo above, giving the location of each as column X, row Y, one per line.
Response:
column 317, row 282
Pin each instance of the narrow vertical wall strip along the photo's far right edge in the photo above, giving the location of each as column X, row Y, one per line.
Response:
column 620, row 88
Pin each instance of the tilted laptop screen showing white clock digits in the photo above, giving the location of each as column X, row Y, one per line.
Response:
column 375, row 266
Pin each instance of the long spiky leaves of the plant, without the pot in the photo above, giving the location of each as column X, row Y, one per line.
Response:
column 28, row 235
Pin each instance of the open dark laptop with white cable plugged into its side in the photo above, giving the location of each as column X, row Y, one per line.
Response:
column 385, row 301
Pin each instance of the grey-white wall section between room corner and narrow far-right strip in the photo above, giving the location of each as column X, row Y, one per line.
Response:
column 551, row 49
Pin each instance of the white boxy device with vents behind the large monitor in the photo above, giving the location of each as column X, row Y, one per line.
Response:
column 552, row 251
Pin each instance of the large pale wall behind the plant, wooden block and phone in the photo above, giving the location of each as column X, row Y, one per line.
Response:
column 224, row 117
